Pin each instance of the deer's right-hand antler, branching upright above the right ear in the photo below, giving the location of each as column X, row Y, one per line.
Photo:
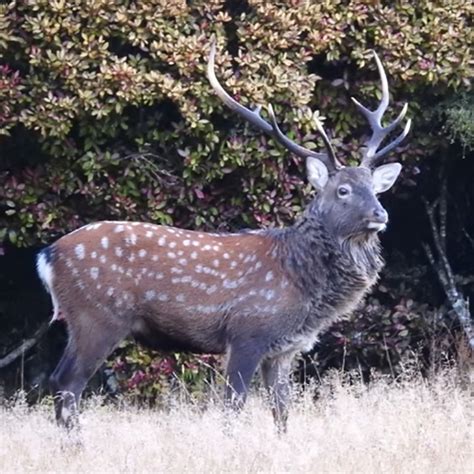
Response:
column 371, row 155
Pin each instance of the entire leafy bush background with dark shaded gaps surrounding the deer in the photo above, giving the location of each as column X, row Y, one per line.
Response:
column 106, row 113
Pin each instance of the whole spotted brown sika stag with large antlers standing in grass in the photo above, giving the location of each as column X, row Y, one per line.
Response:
column 261, row 296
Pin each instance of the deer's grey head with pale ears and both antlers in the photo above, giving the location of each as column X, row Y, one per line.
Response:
column 346, row 196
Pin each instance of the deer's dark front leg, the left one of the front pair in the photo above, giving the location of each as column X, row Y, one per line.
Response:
column 241, row 366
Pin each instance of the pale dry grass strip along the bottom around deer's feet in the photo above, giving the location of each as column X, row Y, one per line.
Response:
column 413, row 426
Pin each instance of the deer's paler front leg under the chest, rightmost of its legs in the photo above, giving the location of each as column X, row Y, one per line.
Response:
column 276, row 378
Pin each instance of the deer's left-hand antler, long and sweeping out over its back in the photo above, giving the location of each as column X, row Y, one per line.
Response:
column 254, row 117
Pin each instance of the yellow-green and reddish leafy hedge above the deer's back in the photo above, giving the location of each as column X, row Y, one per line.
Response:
column 106, row 111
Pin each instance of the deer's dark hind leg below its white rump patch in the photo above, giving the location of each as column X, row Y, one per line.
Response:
column 87, row 348
